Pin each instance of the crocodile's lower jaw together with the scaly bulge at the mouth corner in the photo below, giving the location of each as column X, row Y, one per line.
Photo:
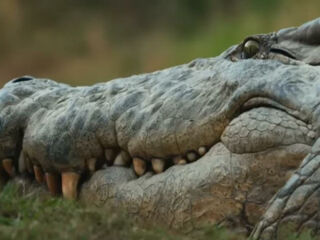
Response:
column 256, row 153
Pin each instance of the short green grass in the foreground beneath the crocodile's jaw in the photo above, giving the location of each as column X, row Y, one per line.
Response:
column 29, row 216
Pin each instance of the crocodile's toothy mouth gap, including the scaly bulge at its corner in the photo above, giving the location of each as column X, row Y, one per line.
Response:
column 261, row 124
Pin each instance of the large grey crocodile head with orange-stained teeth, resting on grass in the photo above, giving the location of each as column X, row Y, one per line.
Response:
column 229, row 140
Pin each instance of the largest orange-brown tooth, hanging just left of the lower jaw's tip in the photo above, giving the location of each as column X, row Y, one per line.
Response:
column 70, row 182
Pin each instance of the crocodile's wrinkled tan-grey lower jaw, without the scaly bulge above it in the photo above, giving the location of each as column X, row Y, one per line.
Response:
column 220, row 187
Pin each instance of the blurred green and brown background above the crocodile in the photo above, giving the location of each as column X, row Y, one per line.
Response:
column 81, row 42
